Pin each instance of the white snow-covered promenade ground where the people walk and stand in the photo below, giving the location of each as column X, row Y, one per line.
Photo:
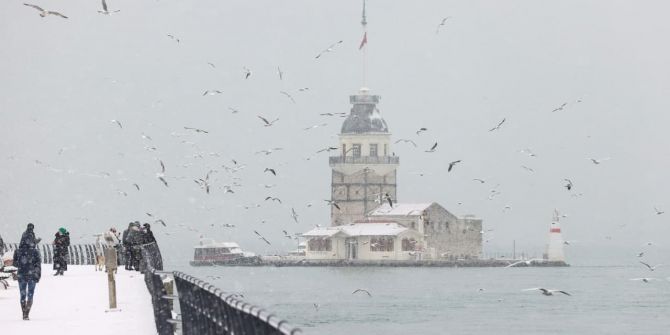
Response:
column 76, row 303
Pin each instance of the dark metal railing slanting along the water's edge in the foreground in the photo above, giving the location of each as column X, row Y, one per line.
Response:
column 204, row 309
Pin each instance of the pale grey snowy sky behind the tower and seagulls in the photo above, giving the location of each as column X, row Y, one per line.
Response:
column 64, row 80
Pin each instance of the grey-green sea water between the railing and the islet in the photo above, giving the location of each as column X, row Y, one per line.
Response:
column 448, row 300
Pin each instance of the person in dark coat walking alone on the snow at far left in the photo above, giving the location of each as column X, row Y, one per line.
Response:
column 29, row 264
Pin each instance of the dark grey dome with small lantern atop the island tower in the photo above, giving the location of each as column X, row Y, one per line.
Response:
column 364, row 116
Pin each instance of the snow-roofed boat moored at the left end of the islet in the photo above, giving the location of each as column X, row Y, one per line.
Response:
column 209, row 252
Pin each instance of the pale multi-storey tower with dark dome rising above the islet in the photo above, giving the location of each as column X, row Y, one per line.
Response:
column 364, row 171
